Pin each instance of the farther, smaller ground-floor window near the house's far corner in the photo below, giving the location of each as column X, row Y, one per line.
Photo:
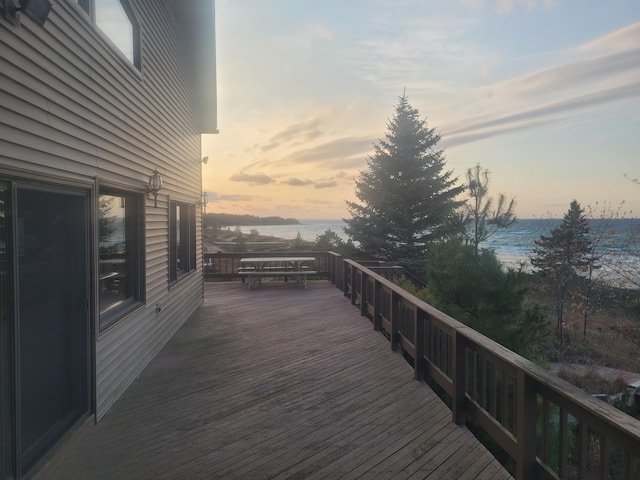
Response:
column 182, row 239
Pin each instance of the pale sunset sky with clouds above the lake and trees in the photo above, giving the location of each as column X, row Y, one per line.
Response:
column 543, row 94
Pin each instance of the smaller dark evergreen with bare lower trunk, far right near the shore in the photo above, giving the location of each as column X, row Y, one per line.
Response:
column 563, row 256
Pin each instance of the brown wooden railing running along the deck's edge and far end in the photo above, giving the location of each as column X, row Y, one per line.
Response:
column 551, row 429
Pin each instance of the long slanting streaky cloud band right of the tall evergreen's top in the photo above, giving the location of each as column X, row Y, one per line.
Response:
column 556, row 93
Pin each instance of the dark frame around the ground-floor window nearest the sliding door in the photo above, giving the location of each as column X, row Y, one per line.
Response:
column 134, row 239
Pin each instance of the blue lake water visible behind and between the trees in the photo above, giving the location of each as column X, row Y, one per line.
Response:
column 512, row 245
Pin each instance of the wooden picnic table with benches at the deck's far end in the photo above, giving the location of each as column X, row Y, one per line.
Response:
column 256, row 268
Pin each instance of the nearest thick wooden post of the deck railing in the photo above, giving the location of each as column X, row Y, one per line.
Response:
column 525, row 427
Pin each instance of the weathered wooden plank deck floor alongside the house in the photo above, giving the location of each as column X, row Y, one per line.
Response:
column 277, row 383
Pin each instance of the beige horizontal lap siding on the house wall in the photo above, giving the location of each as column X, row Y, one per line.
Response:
column 72, row 107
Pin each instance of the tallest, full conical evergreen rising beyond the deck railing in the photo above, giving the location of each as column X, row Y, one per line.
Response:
column 406, row 195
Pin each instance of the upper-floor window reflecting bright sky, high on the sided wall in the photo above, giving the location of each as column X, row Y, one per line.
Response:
column 117, row 21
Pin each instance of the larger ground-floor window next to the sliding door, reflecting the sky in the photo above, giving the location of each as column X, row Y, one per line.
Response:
column 120, row 255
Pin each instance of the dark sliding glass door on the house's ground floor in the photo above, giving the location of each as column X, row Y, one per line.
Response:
column 44, row 321
